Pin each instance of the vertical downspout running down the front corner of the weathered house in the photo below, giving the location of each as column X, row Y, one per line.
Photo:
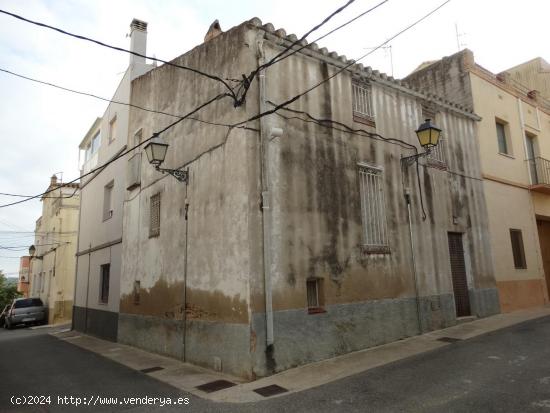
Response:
column 264, row 160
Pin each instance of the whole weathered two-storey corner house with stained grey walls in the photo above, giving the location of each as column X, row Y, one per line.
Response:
column 291, row 241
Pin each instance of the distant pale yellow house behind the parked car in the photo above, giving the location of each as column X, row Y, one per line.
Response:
column 53, row 261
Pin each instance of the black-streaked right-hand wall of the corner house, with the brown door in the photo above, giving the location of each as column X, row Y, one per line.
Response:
column 368, row 298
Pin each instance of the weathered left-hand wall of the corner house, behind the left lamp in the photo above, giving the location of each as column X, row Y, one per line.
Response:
column 194, row 277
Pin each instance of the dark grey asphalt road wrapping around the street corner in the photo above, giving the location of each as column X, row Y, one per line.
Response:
column 504, row 371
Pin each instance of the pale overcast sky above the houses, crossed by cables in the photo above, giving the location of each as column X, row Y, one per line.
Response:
column 41, row 127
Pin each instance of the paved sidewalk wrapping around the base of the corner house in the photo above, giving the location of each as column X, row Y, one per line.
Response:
column 188, row 377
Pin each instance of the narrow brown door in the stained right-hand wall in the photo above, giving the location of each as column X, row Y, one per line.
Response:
column 458, row 272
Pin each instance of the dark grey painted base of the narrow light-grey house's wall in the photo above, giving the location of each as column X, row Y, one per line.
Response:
column 99, row 323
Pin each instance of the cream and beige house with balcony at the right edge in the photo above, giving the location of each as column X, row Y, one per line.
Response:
column 514, row 143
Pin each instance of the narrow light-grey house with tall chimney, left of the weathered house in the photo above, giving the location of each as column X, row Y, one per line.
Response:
column 102, row 195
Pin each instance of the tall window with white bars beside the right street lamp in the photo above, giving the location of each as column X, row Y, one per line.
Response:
column 373, row 209
